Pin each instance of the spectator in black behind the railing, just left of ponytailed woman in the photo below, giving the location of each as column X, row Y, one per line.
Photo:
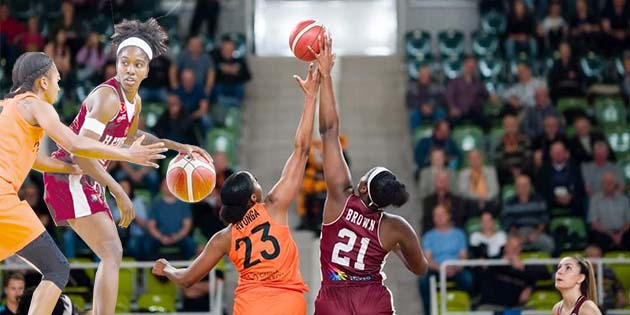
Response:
column 507, row 286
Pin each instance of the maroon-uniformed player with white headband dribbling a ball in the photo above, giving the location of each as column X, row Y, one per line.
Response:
column 109, row 114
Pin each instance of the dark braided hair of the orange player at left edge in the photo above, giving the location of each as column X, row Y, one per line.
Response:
column 26, row 70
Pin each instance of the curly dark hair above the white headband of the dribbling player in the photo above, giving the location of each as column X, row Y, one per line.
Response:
column 149, row 31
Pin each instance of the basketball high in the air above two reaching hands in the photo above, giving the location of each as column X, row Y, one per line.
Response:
column 306, row 34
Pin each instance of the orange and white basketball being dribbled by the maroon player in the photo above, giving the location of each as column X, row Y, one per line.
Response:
column 190, row 180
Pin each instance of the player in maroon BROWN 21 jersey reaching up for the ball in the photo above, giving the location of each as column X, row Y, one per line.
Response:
column 357, row 234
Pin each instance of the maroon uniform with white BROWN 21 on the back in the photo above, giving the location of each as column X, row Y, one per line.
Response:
column 352, row 260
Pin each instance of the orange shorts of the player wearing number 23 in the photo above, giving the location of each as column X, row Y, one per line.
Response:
column 270, row 301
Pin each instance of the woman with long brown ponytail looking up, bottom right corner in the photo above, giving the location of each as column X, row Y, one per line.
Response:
column 575, row 279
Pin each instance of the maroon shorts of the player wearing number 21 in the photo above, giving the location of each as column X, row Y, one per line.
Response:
column 373, row 299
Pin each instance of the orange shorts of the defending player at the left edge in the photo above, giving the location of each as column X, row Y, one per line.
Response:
column 19, row 225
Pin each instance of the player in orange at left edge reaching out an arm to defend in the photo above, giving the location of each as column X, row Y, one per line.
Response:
column 25, row 114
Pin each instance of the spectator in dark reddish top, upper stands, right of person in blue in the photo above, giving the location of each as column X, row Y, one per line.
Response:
column 465, row 96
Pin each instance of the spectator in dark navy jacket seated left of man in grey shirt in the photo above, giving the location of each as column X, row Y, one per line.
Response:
column 560, row 181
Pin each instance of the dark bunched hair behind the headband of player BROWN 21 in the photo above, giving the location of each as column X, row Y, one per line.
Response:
column 387, row 190
